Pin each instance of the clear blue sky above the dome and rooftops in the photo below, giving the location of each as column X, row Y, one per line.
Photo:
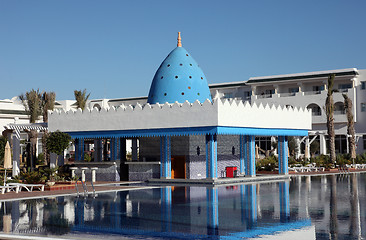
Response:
column 113, row 47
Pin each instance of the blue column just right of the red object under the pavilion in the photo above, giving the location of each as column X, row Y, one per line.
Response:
column 249, row 155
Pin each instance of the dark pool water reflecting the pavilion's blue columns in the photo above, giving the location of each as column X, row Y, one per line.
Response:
column 307, row 207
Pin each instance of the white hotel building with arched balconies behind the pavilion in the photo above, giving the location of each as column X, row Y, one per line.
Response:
column 293, row 90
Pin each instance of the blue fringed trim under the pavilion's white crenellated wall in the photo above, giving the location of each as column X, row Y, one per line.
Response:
column 189, row 131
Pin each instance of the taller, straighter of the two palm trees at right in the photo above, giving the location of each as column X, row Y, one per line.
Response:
column 329, row 110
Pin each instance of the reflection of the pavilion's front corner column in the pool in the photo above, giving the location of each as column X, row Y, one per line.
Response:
column 212, row 211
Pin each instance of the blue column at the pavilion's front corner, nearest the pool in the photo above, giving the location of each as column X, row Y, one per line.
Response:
column 211, row 156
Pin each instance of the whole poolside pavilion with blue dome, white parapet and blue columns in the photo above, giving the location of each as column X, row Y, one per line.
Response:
column 182, row 133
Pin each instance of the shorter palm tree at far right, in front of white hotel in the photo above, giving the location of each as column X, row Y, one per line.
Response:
column 350, row 126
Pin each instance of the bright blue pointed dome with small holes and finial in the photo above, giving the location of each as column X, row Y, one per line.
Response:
column 179, row 78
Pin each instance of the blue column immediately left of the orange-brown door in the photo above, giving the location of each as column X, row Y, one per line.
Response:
column 165, row 158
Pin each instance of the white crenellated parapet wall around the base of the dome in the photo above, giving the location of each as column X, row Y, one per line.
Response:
column 180, row 115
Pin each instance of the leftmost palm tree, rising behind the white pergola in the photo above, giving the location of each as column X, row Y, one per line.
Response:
column 33, row 107
